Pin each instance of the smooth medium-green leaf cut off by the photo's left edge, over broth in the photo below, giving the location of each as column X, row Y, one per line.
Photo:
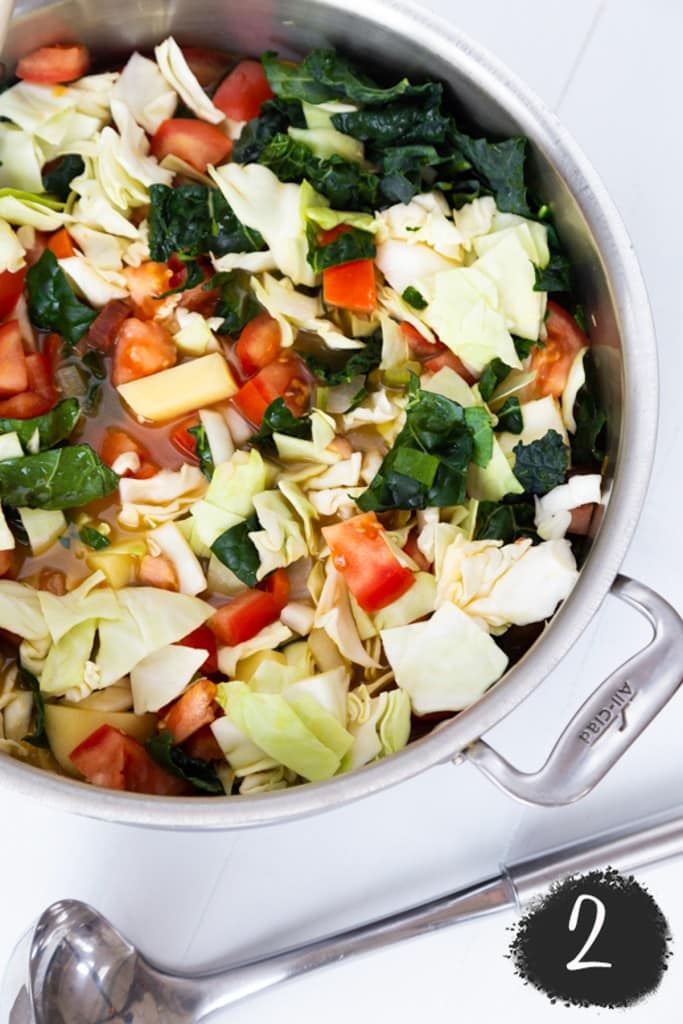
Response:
column 63, row 479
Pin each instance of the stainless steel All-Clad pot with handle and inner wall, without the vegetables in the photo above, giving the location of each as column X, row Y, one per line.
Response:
column 615, row 298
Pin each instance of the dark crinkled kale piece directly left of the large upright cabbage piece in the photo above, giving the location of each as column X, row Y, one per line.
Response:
column 194, row 221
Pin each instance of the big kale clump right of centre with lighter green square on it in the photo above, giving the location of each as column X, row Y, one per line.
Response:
column 429, row 463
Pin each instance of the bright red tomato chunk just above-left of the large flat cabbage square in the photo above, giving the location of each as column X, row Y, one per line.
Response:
column 371, row 570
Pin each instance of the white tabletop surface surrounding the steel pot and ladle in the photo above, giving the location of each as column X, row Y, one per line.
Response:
column 612, row 69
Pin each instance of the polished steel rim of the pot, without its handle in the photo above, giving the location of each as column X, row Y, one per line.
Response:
column 637, row 440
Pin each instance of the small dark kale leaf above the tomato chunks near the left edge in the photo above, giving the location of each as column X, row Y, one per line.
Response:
column 53, row 304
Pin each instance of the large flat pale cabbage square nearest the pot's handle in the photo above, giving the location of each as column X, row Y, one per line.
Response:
column 445, row 664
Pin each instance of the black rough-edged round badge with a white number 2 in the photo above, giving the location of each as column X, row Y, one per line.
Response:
column 596, row 940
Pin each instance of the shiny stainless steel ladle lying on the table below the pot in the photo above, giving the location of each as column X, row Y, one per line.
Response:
column 75, row 968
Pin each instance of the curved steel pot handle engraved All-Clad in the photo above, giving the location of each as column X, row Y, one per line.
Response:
column 609, row 722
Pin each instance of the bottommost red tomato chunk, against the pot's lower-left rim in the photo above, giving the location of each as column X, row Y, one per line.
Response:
column 112, row 759
